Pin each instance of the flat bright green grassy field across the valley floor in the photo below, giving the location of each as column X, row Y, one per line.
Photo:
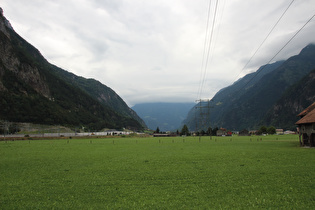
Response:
column 158, row 173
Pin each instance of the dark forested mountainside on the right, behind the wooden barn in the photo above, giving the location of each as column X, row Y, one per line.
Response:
column 271, row 96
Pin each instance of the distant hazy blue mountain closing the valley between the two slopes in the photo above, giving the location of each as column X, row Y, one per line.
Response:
column 166, row 116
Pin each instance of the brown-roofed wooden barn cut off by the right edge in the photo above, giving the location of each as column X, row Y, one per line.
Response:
column 306, row 126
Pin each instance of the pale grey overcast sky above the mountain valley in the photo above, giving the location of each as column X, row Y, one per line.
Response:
column 153, row 50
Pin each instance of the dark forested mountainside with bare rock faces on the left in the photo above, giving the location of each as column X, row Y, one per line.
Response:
column 33, row 90
